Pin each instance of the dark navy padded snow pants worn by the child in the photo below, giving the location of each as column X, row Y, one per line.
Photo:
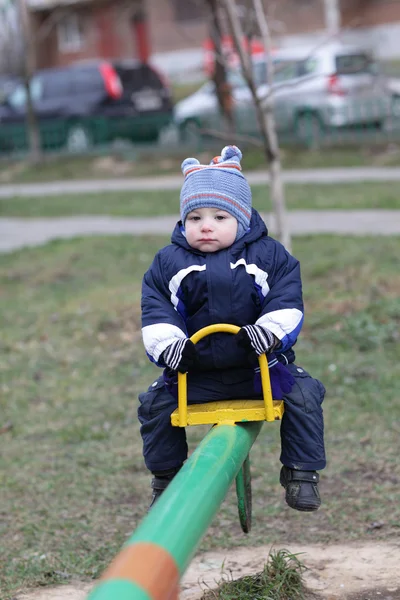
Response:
column 302, row 426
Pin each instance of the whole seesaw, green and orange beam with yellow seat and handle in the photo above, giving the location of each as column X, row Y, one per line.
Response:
column 153, row 560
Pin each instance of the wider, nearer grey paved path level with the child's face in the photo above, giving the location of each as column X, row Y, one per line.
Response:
column 18, row 233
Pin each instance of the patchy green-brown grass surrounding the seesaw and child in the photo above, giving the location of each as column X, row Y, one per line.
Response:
column 73, row 482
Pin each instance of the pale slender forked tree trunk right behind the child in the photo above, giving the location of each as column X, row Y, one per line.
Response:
column 265, row 115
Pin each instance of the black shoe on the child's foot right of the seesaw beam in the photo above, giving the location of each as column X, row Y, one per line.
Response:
column 301, row 489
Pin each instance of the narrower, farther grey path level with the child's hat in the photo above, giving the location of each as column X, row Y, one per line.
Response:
column 170, row 182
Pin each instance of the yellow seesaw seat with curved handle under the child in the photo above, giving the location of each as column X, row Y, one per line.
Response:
column 226, row 411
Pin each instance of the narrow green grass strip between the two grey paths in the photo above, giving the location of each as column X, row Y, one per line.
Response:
column 151, row 203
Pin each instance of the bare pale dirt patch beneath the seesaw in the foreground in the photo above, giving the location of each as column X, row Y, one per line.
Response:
column 354, row 572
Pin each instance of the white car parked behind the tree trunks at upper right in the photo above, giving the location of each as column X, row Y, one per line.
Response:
column 314, row 91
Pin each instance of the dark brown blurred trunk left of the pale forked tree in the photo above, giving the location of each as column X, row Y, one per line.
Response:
column 222, row 87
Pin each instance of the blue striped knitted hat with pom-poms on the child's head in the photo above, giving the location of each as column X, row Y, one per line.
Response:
column 217, row 185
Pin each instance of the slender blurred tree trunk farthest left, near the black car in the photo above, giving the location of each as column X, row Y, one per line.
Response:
column 28, row 70
